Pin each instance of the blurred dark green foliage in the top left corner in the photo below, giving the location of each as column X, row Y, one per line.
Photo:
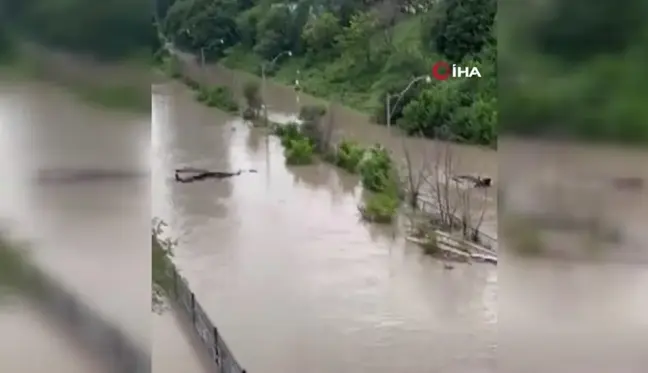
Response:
column 113, row 30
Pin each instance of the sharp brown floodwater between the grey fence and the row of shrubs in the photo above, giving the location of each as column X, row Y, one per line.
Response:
column 283, row 266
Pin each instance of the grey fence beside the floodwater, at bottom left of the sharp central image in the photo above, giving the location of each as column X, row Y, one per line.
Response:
column 214, row 344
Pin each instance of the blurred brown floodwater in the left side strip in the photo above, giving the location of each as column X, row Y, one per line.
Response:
column 92, row 236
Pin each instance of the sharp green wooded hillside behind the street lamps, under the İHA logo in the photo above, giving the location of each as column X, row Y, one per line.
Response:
column 358, row 51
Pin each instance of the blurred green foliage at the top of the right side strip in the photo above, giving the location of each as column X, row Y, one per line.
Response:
column 568, row 75
